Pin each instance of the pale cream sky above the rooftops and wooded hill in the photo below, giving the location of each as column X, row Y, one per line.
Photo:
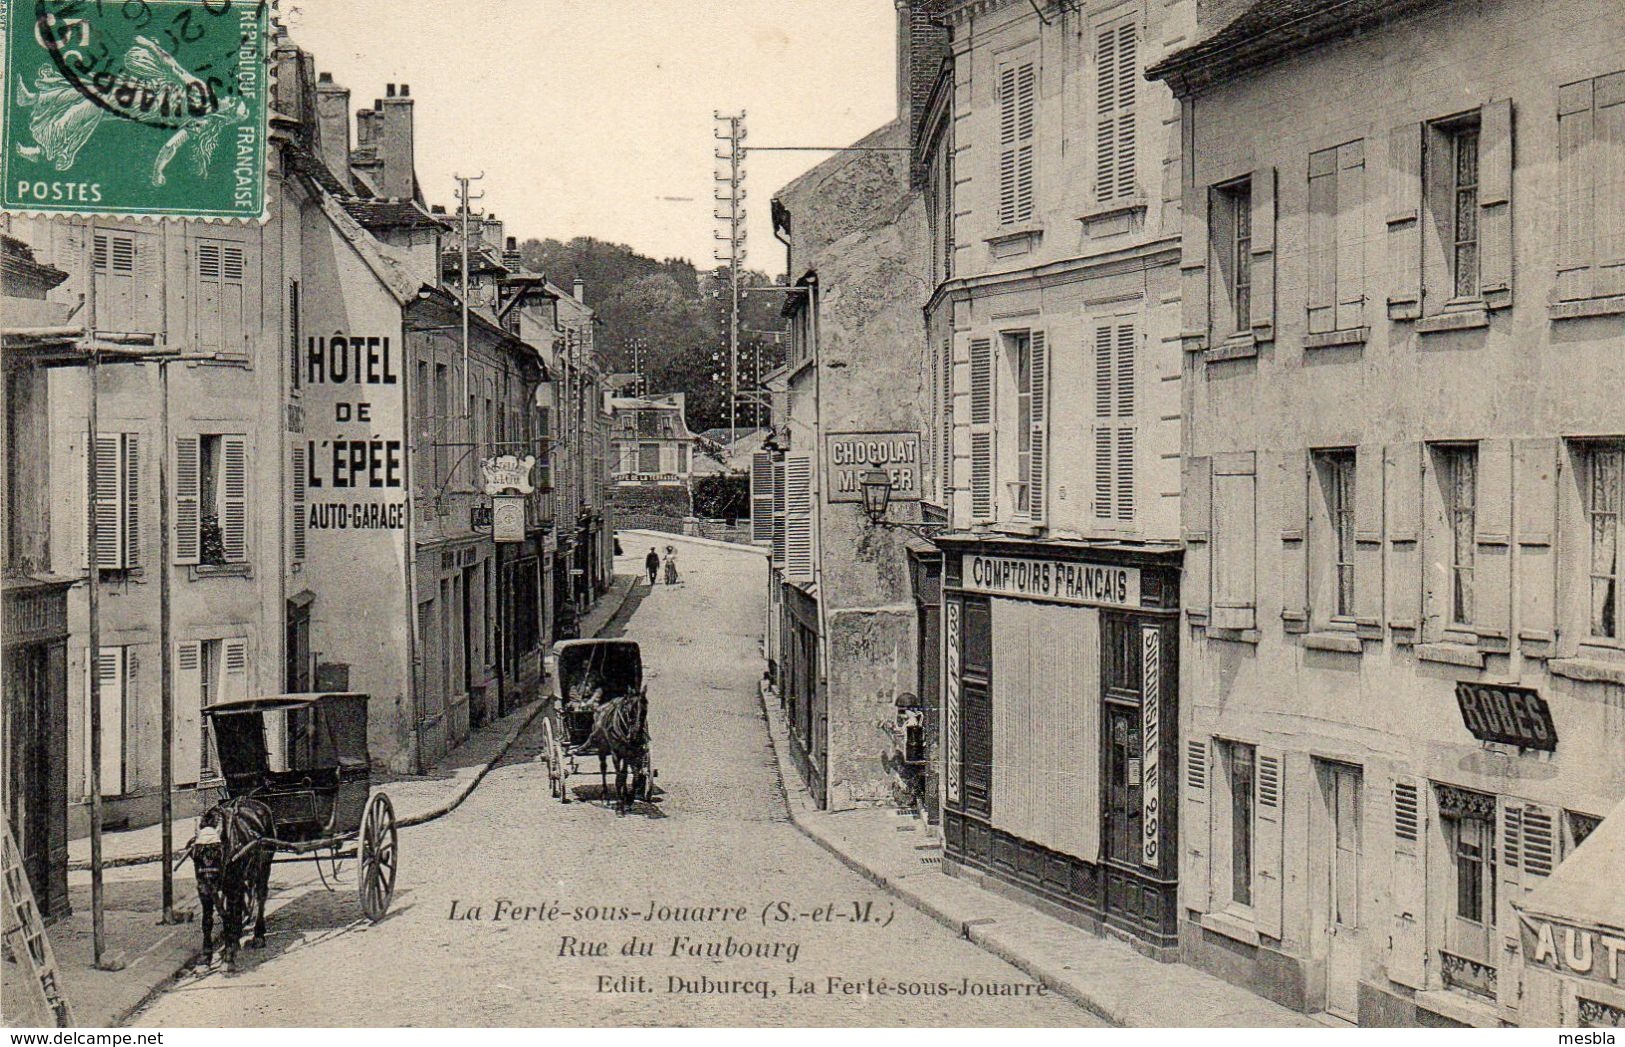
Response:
column 589, row 116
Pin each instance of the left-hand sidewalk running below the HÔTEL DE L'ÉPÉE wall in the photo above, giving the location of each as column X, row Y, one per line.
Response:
column 155, row 954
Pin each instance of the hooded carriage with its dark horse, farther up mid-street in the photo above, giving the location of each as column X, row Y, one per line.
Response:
column 599, row 706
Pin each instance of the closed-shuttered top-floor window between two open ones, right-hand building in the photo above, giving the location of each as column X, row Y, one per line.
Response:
column 1337, row 293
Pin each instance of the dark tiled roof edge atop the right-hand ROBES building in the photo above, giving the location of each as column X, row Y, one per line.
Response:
column 1272, row 30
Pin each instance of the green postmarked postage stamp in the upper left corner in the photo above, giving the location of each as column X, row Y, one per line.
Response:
column 136, row 108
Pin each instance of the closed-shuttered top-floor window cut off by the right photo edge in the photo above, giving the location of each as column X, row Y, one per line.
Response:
column 1592, row 168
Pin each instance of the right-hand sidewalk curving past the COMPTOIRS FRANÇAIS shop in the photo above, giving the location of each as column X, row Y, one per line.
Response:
column 1101, row 975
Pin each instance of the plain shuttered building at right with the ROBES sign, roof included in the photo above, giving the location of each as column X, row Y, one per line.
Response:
column 1403, row 656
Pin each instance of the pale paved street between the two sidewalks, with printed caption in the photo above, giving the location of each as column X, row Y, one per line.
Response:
column 706, row 862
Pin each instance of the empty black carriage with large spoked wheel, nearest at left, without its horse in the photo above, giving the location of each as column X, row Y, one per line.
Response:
column 323, row 806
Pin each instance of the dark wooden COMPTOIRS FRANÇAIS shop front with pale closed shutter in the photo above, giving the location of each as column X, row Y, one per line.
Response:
column 1060, row 710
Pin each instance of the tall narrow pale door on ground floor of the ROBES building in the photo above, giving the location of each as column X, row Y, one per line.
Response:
column 1341, row 797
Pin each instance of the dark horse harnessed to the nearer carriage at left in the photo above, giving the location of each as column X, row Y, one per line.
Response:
column 233, row 861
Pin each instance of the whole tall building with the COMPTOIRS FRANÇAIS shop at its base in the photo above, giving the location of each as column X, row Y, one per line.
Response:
column 1055, row 380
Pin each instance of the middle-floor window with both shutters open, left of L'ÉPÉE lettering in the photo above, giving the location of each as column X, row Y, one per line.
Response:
column 212, row 500
